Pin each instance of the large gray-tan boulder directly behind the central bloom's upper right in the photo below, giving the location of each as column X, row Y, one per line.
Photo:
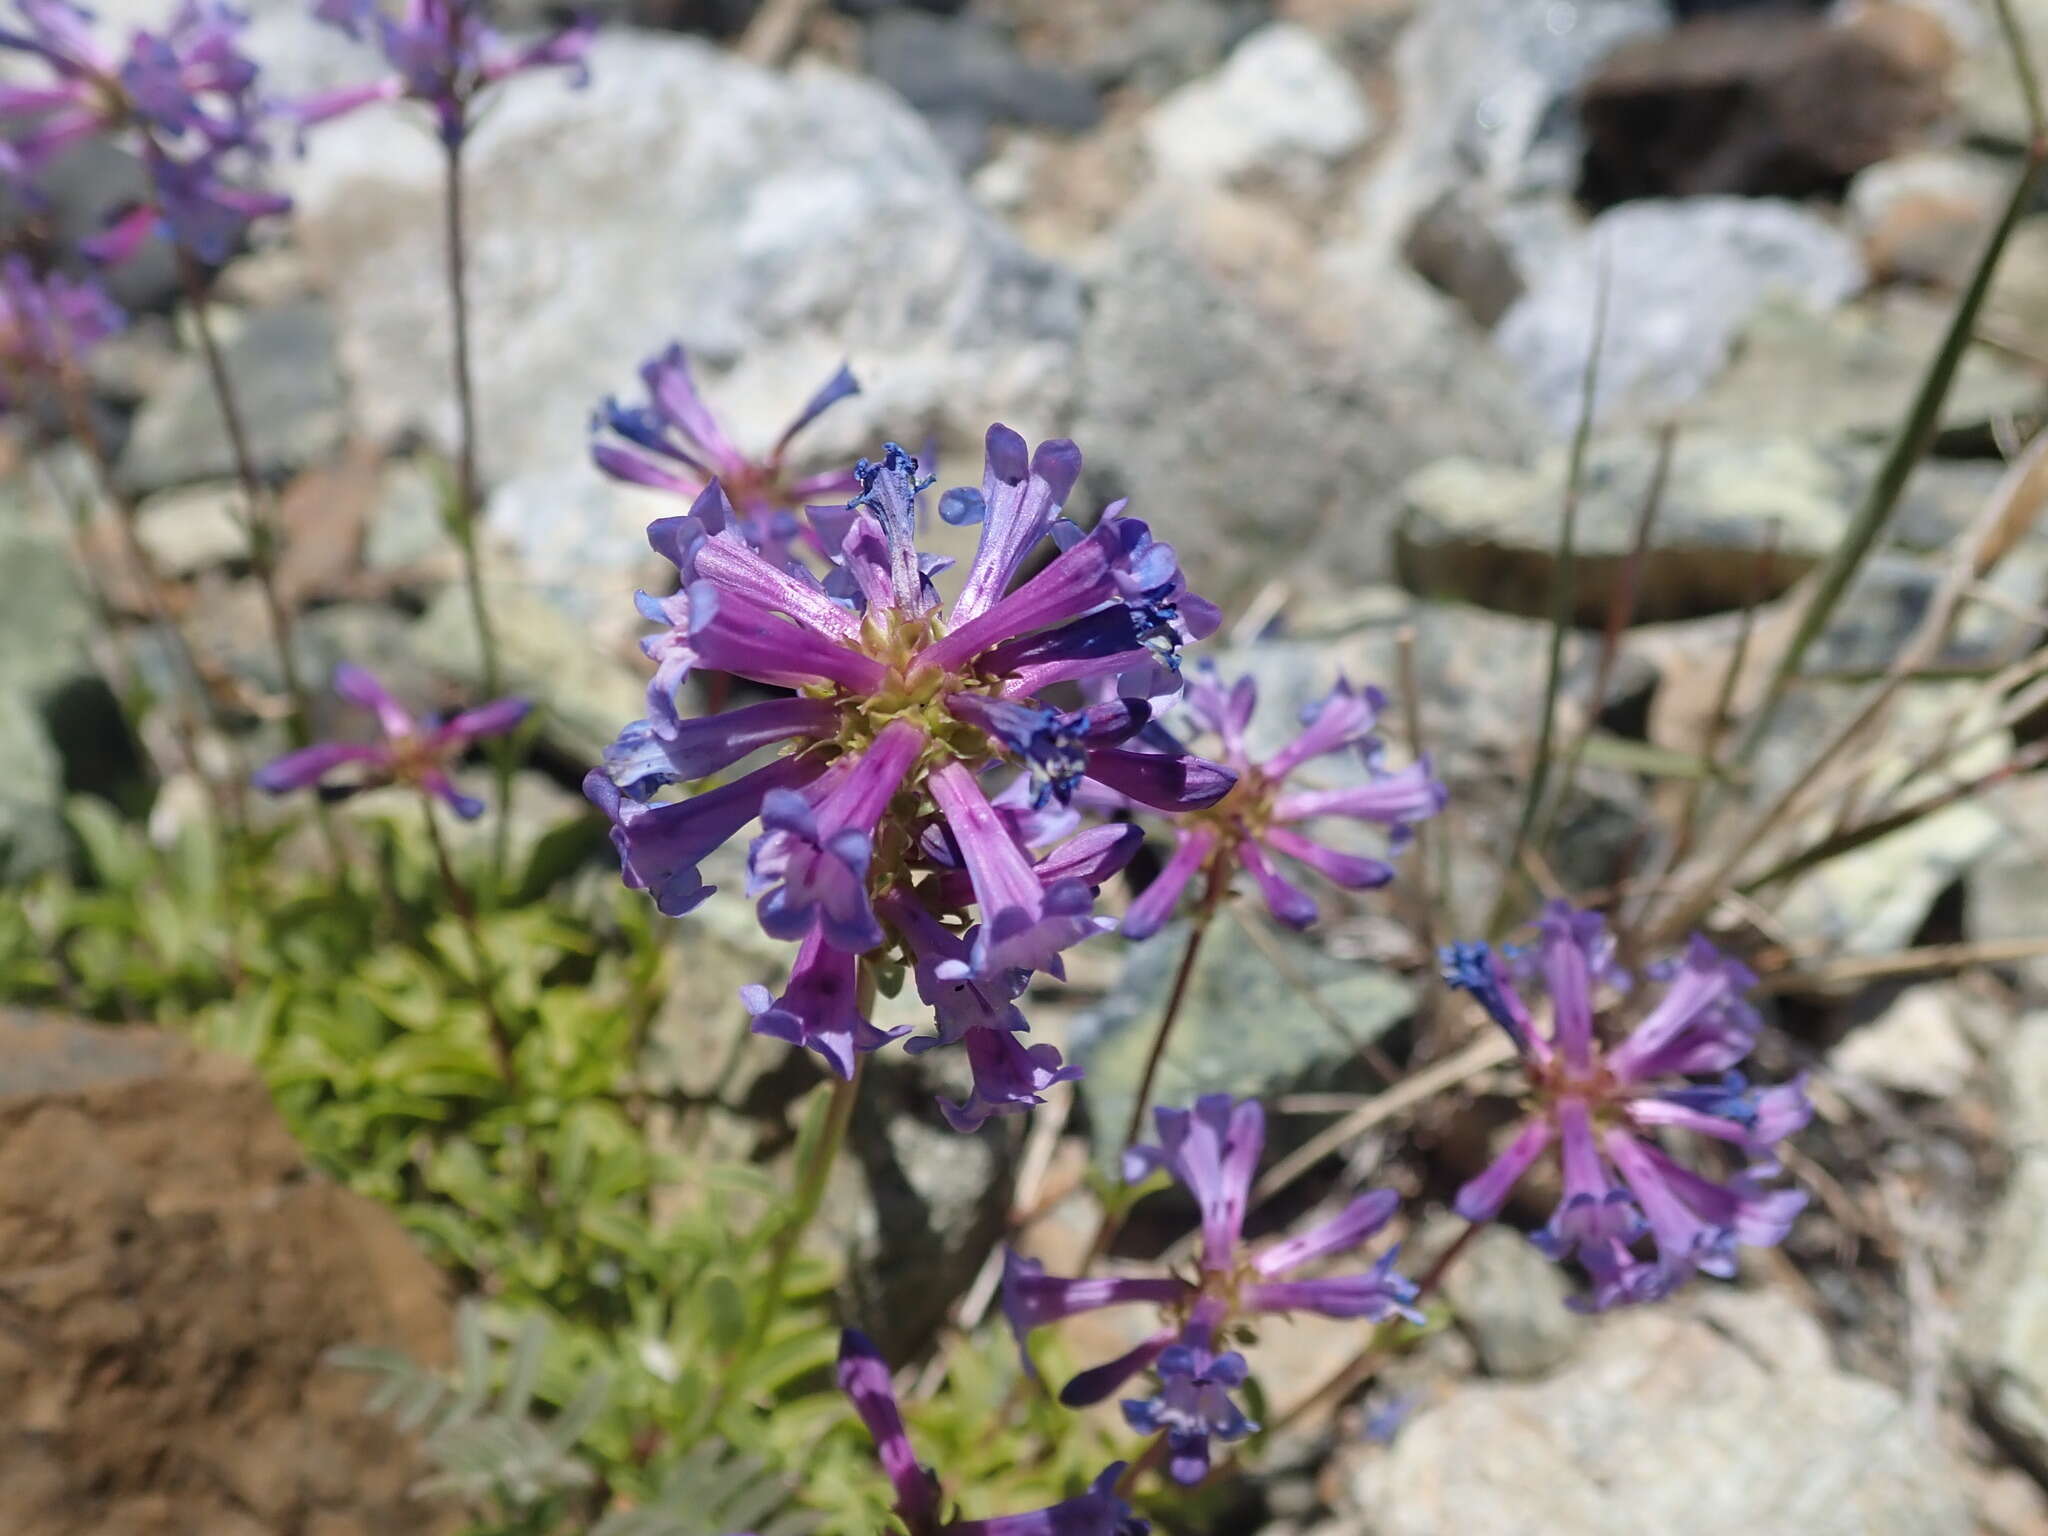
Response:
column 1265, row 400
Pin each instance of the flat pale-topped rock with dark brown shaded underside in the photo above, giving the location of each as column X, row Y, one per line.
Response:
column 1488, row 534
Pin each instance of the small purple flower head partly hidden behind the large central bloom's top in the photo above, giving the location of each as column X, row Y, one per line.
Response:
column 675, row 443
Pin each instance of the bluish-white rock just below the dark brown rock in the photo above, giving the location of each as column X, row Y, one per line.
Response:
column 1682, row 278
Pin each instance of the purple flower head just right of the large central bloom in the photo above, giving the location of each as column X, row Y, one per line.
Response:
column 1263, row 816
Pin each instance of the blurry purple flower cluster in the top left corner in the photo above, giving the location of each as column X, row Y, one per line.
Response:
column 183, row 99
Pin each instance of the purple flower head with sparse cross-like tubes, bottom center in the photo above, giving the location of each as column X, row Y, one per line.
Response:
column 1213, row 1150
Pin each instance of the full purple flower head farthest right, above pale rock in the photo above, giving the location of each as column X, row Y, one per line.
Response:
column 1603, row 1105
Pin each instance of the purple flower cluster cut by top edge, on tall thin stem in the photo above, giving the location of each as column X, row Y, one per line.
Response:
column 443, row 54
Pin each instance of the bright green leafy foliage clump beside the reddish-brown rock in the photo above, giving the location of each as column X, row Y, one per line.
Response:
column 613, row 1359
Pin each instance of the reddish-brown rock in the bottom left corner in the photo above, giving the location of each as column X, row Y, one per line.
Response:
column 177, row 1279
